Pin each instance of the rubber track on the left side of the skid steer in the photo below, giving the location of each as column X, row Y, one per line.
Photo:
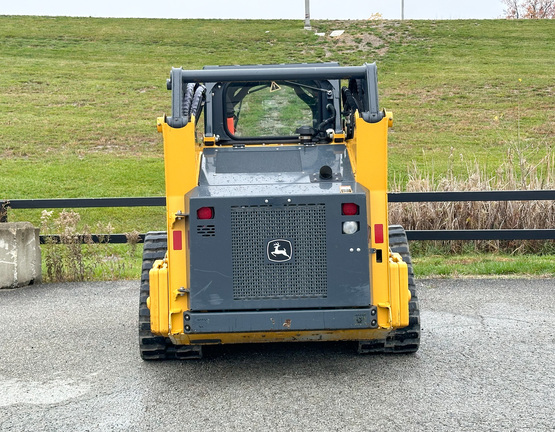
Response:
column 157, row 347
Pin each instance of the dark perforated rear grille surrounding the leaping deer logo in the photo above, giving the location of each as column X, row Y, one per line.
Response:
column 254, row 276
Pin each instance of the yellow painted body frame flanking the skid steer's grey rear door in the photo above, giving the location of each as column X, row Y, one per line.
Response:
column 169, row 284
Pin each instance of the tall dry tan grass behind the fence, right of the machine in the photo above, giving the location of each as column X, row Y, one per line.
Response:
column 515, row 173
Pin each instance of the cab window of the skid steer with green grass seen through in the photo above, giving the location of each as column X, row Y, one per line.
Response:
column 271, row 108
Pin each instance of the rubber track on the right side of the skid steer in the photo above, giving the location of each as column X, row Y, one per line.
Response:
column 407, row 339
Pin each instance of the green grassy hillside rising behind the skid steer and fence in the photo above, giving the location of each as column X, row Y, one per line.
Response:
column 79, row 97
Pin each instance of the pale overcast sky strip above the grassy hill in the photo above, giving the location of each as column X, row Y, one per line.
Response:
column 244, row 9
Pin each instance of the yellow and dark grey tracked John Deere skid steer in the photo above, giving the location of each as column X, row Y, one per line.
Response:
column 277, row 227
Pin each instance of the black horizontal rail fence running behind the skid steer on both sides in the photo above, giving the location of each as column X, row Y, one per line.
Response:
column 487, row 234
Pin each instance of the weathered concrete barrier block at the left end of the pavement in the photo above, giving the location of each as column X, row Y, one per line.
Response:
column 20, row 261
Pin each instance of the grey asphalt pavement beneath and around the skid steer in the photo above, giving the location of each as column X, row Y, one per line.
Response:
column 69, row 361
